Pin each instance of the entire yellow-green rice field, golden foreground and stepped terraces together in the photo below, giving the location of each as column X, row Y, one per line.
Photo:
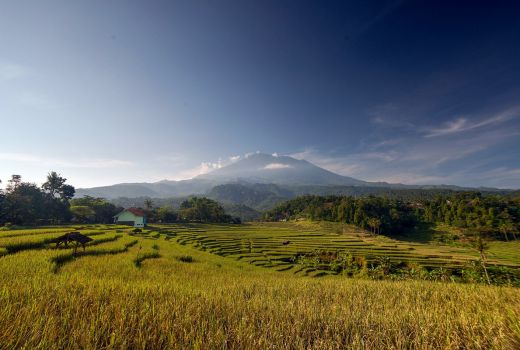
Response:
column 222, row 286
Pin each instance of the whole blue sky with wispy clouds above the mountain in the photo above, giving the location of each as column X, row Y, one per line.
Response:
column 128, row 91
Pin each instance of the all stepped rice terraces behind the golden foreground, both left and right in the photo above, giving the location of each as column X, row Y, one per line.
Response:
column 270, row 245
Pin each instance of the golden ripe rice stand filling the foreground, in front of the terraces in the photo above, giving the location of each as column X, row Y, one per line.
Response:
column 106, row 301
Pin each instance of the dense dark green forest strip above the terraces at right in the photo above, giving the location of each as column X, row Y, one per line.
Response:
column 496, row 216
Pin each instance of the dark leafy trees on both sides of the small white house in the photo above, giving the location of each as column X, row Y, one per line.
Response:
column 52, row 203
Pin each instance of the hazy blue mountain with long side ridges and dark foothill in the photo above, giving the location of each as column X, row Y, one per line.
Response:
column 261, row 181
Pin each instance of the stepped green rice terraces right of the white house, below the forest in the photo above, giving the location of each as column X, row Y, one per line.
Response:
column 262, row 244
